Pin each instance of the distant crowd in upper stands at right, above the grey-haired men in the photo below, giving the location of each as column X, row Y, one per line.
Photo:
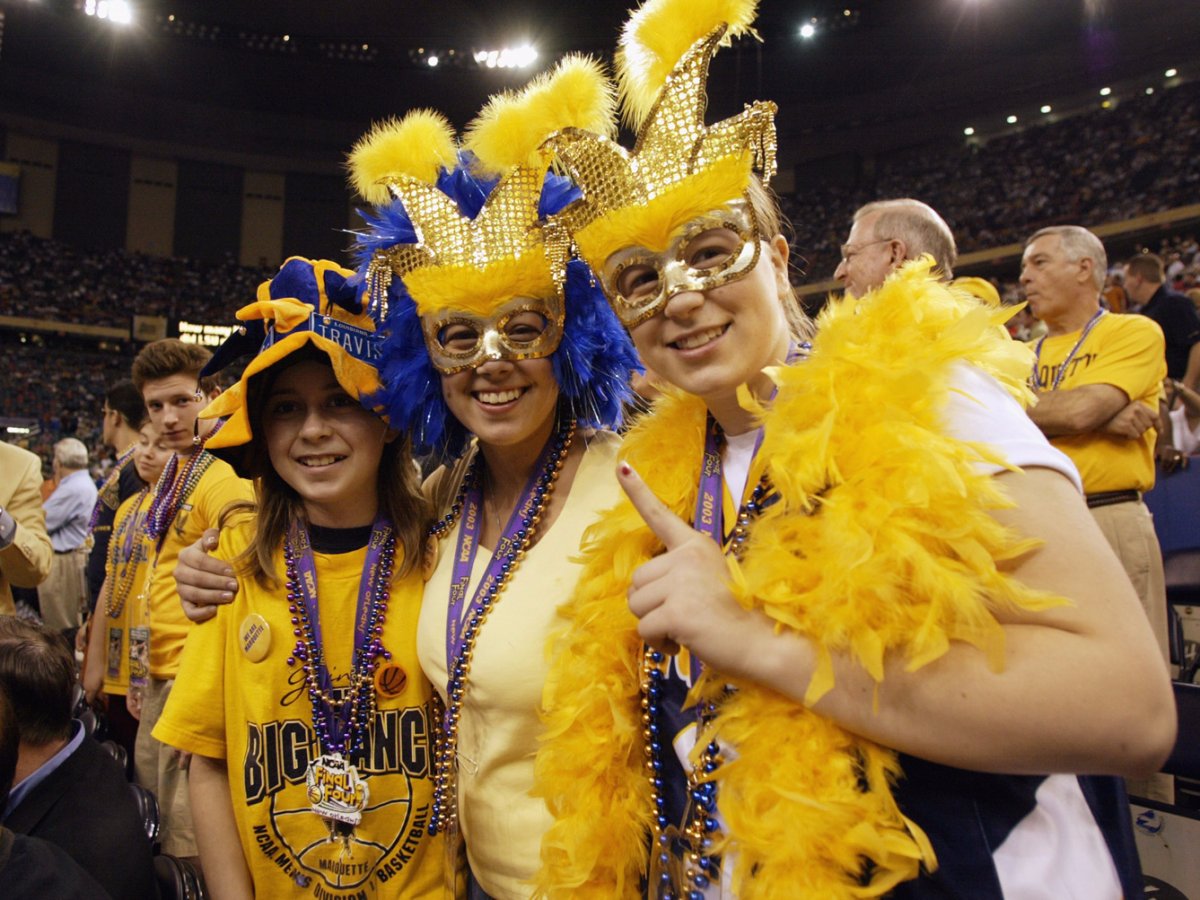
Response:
column 1114, row 165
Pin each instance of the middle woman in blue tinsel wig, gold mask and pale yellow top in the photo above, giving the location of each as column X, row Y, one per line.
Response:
column 507, row 367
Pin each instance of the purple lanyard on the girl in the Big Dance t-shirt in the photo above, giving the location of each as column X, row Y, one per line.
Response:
column 307, row 586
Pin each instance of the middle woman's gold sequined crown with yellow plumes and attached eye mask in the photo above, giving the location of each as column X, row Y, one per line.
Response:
column 488, row 266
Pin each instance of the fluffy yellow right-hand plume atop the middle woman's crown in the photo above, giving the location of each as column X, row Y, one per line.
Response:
column 512, row 128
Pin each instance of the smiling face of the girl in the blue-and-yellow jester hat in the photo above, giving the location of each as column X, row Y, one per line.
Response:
column 325, row 445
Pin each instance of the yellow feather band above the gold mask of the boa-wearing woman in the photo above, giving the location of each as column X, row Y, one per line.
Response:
column 656, row 223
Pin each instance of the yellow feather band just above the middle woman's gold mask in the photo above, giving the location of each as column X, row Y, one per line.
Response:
column 481, row 290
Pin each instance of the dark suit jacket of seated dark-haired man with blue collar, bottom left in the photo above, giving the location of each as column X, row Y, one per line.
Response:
column 86, row 807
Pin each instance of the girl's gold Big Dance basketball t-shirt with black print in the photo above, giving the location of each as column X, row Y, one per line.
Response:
column 257, row 717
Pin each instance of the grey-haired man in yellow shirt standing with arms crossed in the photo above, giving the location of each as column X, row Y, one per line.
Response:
column 1100, row 380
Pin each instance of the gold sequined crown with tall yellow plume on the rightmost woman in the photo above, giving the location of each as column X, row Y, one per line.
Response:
column 680, row 169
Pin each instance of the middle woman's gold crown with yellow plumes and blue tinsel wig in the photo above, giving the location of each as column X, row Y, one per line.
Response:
column 471, row 237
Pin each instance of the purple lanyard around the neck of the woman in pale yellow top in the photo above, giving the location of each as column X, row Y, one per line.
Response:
column 469, row 545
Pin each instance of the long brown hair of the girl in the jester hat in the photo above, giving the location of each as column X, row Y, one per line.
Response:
column 278, row 506
